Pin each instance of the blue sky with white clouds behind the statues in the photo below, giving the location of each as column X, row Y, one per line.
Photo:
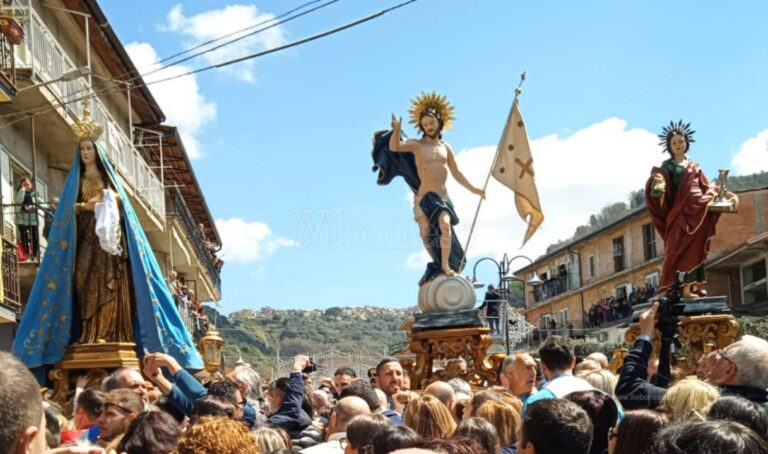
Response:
column 282, row 144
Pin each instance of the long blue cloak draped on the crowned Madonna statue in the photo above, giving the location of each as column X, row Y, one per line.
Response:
column 47, row 322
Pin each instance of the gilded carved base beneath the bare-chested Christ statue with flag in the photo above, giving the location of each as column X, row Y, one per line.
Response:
column 468, row 343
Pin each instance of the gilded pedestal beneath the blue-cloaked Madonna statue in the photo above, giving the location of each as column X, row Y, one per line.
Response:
column 93, row 359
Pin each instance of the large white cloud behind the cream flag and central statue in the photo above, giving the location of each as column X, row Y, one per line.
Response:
column 576, row 176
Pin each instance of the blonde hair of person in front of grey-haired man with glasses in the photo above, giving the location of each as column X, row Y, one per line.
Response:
column 687, row 399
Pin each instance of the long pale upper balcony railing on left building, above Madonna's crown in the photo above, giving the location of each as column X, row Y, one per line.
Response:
column 42, row 53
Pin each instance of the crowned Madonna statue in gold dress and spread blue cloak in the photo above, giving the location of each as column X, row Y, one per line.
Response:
column 99, row 281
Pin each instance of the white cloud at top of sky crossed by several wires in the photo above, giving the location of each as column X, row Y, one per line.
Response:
column 202, row 27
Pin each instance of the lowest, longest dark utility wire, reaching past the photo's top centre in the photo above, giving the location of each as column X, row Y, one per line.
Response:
column 34, row 113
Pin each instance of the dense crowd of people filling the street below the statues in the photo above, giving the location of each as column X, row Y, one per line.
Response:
column 555, row 403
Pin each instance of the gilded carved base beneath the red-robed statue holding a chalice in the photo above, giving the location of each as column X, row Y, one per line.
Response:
column 699, row 334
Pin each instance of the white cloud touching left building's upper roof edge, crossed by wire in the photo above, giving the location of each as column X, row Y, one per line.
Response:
column 181, row 99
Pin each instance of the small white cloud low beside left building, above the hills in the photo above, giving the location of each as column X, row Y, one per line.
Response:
column 248, row 242
